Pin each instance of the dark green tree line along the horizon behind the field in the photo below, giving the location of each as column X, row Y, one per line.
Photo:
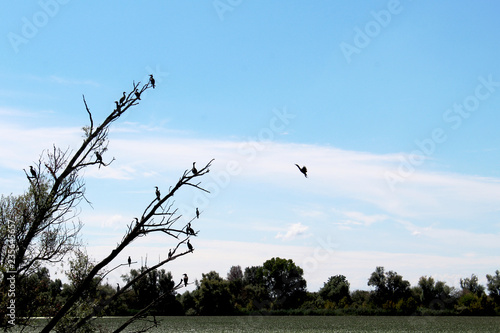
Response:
column 275, row 288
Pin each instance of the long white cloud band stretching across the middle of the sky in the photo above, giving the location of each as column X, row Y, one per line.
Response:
column 333, row 173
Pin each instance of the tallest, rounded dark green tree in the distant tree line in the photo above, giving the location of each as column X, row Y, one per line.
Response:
column 284, row 283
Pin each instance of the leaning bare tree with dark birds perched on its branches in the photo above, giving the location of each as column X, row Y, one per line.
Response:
column 46, row 230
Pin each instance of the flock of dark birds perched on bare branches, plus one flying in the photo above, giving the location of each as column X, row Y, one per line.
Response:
column 189, row 230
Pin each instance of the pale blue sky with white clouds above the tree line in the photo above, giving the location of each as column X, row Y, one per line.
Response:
column 392, row 105
